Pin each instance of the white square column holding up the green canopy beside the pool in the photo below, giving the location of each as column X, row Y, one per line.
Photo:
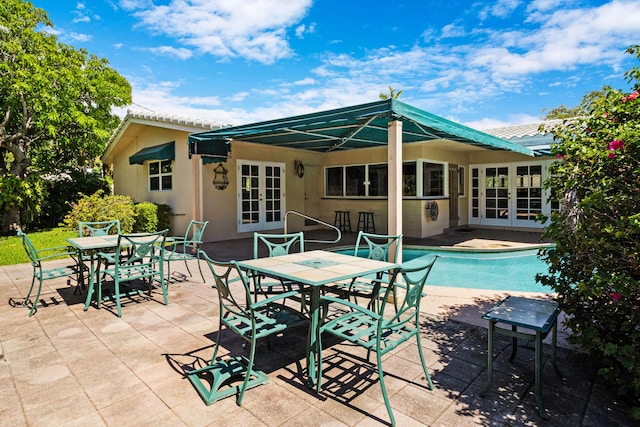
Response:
column 394, row 161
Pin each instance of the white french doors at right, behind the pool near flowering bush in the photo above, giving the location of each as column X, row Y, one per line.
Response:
column 507, row 194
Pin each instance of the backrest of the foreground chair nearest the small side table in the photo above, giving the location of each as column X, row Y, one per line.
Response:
column 411, row 281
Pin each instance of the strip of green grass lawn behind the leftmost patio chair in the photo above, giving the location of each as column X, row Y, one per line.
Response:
column 12, row 252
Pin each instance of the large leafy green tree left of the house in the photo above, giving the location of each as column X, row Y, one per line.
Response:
column 55, row 105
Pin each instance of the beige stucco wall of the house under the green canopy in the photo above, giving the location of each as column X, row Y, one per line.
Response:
column 301, row 194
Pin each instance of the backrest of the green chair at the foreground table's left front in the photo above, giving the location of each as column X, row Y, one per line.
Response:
column 232, row 285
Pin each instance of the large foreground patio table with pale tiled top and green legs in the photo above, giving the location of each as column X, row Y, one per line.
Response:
column 315, row 269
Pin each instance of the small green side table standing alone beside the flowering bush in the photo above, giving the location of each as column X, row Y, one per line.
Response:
column 538, row 316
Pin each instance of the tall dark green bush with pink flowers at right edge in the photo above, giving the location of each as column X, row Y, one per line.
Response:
column 595, row 266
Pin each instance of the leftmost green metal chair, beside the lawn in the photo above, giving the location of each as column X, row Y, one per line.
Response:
column 41, row 274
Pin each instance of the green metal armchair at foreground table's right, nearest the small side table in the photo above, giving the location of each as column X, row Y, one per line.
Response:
column 380, row 331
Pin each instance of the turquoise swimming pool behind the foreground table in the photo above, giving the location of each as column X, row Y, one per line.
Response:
column 504, row 270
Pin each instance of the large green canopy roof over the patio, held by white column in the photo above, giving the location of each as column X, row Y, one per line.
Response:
column 348, row 128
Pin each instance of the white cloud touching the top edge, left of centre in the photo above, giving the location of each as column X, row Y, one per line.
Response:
column 253, row 29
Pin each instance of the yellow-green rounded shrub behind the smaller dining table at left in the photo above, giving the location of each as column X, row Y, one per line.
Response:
column 98, row 207
